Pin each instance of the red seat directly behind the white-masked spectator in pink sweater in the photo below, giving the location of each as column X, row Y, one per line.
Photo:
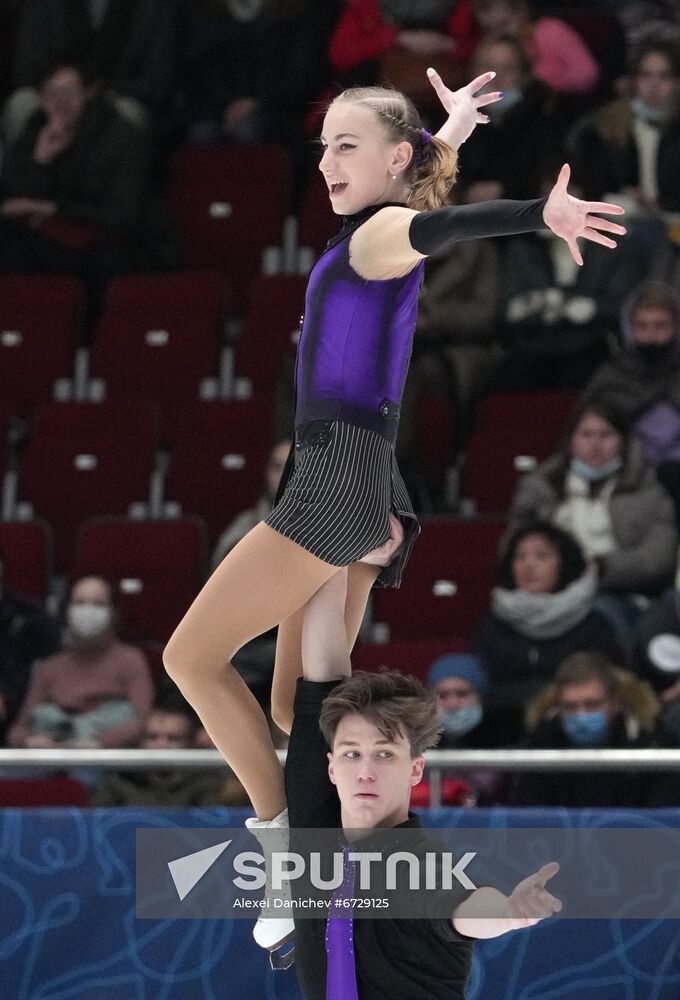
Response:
column 159, row 567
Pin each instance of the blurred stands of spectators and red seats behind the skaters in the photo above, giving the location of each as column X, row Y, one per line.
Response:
column 160, row 208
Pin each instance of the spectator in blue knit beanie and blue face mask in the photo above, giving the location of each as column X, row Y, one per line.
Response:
column 461, row 685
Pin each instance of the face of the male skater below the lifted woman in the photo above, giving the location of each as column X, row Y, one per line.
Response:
column 373, row 775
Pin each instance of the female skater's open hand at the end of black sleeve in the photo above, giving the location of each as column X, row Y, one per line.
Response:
column 572, row 218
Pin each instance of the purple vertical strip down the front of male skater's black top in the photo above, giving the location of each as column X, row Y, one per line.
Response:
column 341, row 976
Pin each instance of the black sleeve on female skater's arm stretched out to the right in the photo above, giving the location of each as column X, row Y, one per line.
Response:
column 441, row 228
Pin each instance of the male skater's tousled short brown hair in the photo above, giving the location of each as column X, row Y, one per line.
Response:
column 397, row 704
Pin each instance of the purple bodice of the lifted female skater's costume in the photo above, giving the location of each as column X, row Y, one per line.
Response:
column 355, row 344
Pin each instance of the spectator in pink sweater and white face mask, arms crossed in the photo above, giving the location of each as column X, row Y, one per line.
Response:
column 97, row 692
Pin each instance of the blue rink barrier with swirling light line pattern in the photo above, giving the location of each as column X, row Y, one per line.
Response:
column 68, row 926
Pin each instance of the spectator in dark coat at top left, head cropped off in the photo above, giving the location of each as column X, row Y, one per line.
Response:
column 130, row 46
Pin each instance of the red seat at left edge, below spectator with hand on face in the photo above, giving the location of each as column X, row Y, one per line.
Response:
column 40, row 328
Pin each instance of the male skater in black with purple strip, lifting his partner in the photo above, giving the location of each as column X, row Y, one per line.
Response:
column 377, row 727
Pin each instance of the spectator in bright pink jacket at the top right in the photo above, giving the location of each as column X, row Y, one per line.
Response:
column 559, row 56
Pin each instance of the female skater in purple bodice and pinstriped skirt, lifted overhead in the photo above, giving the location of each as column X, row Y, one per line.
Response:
column 387, row 176
